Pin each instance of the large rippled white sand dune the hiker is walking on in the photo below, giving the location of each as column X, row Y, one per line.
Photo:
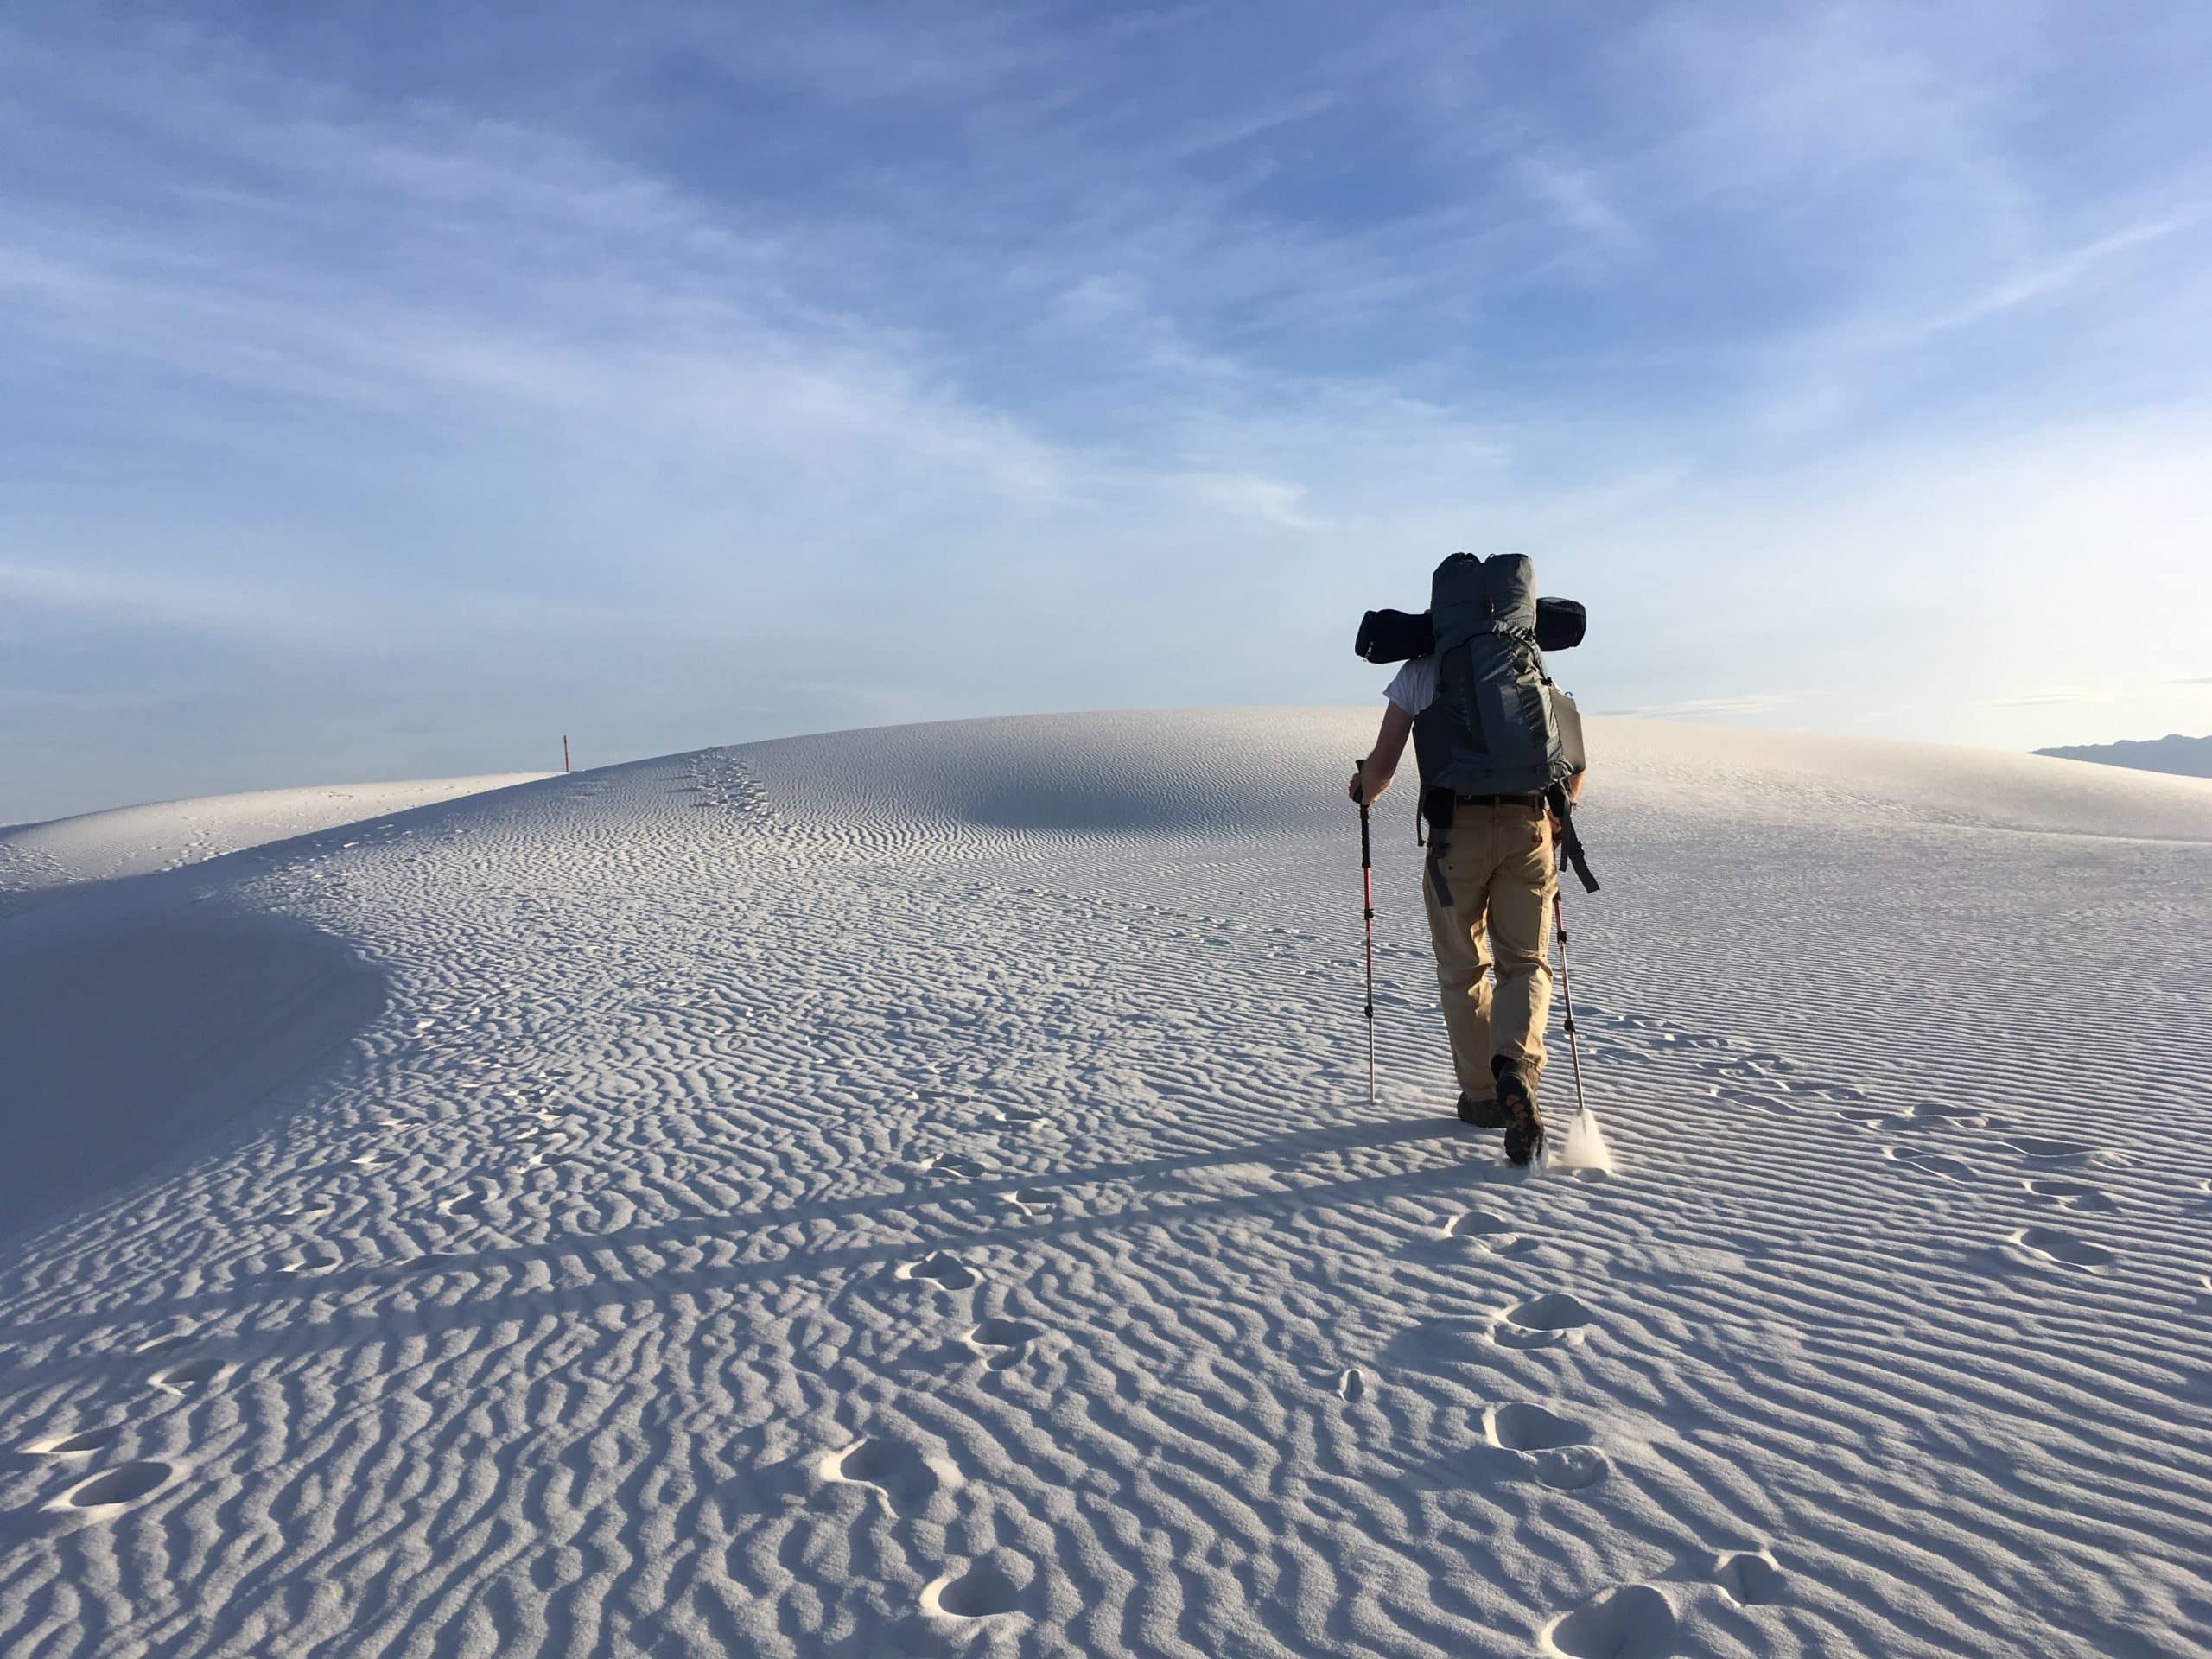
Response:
column 915, row 1191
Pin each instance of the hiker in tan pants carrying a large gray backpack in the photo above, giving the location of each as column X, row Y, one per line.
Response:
column 1492, row 868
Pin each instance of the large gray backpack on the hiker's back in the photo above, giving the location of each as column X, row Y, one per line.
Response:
column 1499, row 724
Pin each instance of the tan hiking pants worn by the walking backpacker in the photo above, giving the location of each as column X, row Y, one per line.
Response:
column 1501, row 870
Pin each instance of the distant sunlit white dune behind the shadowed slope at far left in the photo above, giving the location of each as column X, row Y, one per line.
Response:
column 132, row 842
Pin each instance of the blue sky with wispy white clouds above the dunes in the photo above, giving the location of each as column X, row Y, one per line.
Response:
column 388, row 390
